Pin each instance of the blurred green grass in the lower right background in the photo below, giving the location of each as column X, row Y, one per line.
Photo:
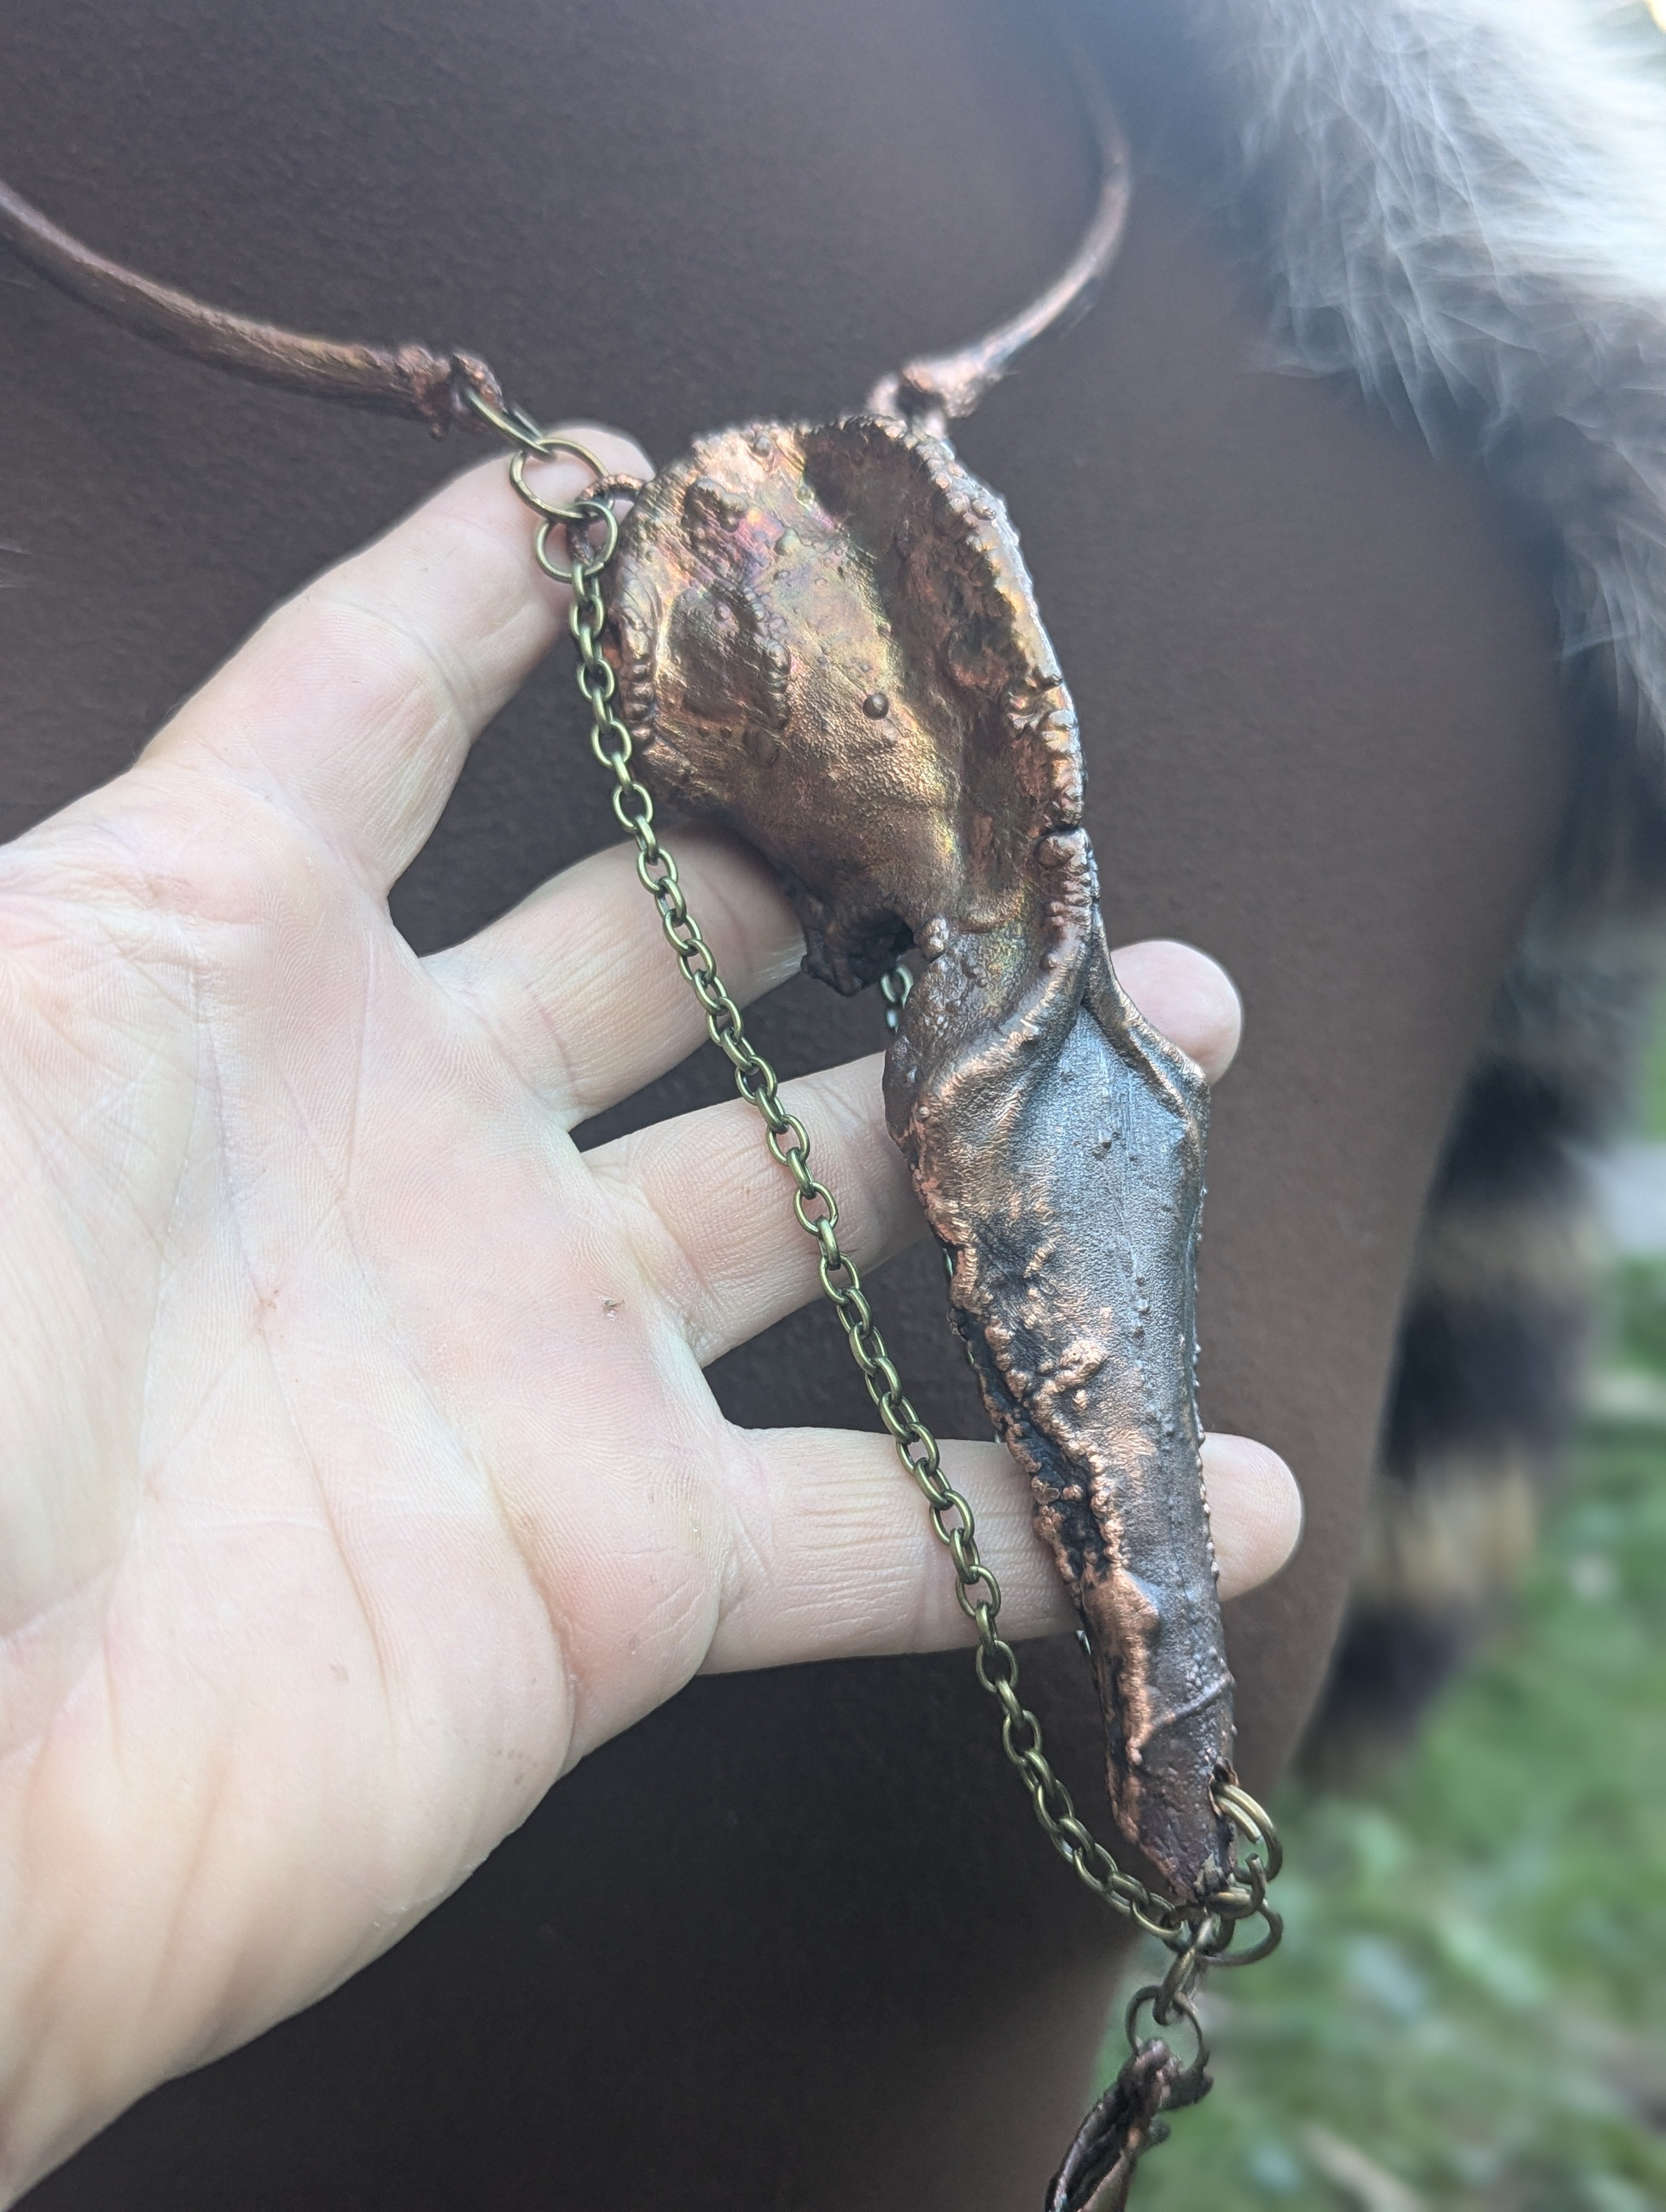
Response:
column 1472, row 1990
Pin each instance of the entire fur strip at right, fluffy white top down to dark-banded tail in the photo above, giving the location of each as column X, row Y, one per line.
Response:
column 1464, row 207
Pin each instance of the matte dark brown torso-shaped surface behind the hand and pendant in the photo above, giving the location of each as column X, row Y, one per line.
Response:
column 793, row 1943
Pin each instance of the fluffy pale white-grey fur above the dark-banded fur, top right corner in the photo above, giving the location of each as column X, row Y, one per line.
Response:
column 1466, row 207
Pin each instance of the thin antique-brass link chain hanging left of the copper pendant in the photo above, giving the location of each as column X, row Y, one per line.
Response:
column 1198, row 1934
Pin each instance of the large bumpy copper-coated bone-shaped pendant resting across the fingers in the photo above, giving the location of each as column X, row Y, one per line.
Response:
column 826, row 640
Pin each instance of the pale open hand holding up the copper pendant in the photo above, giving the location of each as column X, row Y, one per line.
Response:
column 360, row 1470
